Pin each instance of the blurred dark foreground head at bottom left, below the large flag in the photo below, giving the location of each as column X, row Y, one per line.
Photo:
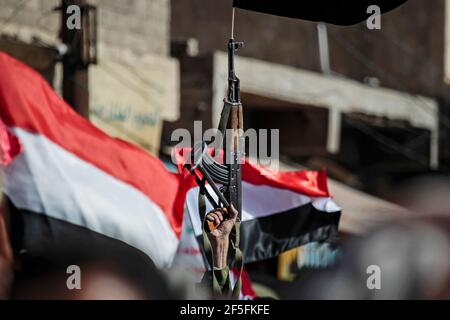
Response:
column 80, row 268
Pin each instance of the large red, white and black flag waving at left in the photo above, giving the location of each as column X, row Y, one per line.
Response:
column 70, row 184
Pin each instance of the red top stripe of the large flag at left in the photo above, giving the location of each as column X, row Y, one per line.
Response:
column 27, row 101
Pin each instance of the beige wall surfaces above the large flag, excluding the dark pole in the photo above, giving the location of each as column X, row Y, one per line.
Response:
column 133, row 47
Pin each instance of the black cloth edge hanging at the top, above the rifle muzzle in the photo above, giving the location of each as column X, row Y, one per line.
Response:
column 340, row 12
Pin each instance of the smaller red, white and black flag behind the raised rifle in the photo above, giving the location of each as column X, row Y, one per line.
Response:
column 280, row 211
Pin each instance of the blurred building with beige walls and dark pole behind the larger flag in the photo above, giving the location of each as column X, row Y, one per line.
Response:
column 118, row 68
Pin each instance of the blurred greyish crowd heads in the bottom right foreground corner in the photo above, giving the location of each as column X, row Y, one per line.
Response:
column 410, row 257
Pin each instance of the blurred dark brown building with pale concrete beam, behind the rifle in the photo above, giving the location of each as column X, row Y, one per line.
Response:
column 370, row 105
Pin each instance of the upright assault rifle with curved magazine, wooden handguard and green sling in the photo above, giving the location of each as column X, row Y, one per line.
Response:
column 228, row 174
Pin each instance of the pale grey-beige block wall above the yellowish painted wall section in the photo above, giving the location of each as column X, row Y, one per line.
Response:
column 138, row 26
